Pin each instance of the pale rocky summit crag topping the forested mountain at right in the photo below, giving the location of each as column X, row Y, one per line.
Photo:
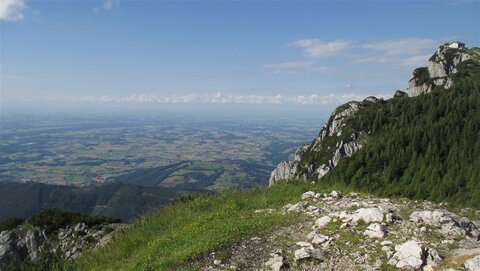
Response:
column 441, row 65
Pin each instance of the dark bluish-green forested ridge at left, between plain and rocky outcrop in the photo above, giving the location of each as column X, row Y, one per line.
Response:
column 116, row 200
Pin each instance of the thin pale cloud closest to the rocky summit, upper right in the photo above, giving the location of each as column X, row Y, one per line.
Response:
column 406, row 46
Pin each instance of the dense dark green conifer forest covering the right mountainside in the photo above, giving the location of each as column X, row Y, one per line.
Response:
column 425, row 147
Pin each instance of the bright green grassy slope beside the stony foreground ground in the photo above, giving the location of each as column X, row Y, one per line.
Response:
column 189, row 229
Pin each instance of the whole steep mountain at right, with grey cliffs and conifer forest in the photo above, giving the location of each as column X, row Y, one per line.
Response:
column 421, row 146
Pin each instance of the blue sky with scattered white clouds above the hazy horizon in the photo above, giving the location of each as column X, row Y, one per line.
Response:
column 106, row 52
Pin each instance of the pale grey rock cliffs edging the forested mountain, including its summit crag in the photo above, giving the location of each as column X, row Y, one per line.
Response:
column 337, row 140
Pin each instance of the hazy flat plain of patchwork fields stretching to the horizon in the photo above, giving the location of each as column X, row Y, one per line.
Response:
column 187, row 152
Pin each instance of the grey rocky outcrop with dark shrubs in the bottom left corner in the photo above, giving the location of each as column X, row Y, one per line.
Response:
column 28, row 243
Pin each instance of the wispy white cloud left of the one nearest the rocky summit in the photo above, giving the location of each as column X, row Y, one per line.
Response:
column 318, row 48
